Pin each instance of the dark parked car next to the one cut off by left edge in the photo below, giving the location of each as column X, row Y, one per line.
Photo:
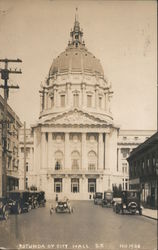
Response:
column 18, row 201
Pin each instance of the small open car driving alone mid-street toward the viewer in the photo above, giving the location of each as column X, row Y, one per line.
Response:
column 63, row 206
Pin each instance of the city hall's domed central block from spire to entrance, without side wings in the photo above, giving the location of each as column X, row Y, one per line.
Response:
column 75, row 139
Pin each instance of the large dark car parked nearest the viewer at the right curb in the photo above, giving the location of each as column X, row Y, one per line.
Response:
column 129, row 202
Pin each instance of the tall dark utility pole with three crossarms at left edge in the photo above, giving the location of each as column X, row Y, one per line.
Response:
column 5, row 76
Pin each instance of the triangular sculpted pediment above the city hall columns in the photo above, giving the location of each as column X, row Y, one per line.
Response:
column 75, row 117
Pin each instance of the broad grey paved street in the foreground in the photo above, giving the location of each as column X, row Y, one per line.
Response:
column 89, row 226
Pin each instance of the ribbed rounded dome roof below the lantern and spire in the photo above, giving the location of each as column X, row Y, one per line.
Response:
column 76, row 60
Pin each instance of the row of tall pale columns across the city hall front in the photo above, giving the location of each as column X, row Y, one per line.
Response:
column 47, row 151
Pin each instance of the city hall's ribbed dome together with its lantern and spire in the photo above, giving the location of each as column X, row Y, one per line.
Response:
column 76, row 58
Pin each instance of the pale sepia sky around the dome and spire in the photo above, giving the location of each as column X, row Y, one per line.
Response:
column 122, row 34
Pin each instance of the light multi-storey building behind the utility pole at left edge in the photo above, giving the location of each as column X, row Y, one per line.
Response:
column 12, row 166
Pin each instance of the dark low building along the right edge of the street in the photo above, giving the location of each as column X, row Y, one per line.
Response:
column 143, row 165
